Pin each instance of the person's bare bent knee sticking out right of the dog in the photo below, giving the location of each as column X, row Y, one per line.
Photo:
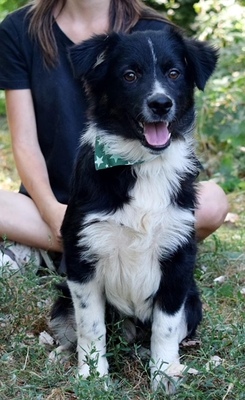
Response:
column 212, row 208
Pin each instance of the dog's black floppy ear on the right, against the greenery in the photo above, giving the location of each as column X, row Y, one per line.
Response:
column 201, row 58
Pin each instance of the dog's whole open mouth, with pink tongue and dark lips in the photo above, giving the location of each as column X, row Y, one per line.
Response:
column 156, row 135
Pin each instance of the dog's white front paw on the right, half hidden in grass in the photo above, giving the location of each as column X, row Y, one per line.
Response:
column 169, row 378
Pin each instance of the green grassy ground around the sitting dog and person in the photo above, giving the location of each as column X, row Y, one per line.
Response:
column 25, row 302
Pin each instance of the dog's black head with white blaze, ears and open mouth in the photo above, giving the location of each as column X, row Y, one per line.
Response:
column 142, row 85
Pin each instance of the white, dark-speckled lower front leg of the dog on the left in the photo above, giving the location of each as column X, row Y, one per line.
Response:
column 89, row 305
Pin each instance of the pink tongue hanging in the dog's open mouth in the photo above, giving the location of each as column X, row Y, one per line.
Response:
column 156, row 134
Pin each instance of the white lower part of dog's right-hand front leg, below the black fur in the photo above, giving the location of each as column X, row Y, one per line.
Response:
column 167, row 332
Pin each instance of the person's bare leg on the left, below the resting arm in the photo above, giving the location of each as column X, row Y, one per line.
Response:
column 21, row 222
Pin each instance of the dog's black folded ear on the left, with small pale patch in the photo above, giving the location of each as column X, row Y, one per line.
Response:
column 89, row 56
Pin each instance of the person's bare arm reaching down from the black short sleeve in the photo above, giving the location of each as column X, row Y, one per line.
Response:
column 29, row 159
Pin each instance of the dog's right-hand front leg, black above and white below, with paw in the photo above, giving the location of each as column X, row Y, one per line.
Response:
column 169, row 325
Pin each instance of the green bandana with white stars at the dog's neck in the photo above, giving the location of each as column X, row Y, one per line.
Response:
column 103, row 159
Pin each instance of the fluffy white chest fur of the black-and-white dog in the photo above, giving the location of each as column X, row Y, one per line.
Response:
column 128, row 244
